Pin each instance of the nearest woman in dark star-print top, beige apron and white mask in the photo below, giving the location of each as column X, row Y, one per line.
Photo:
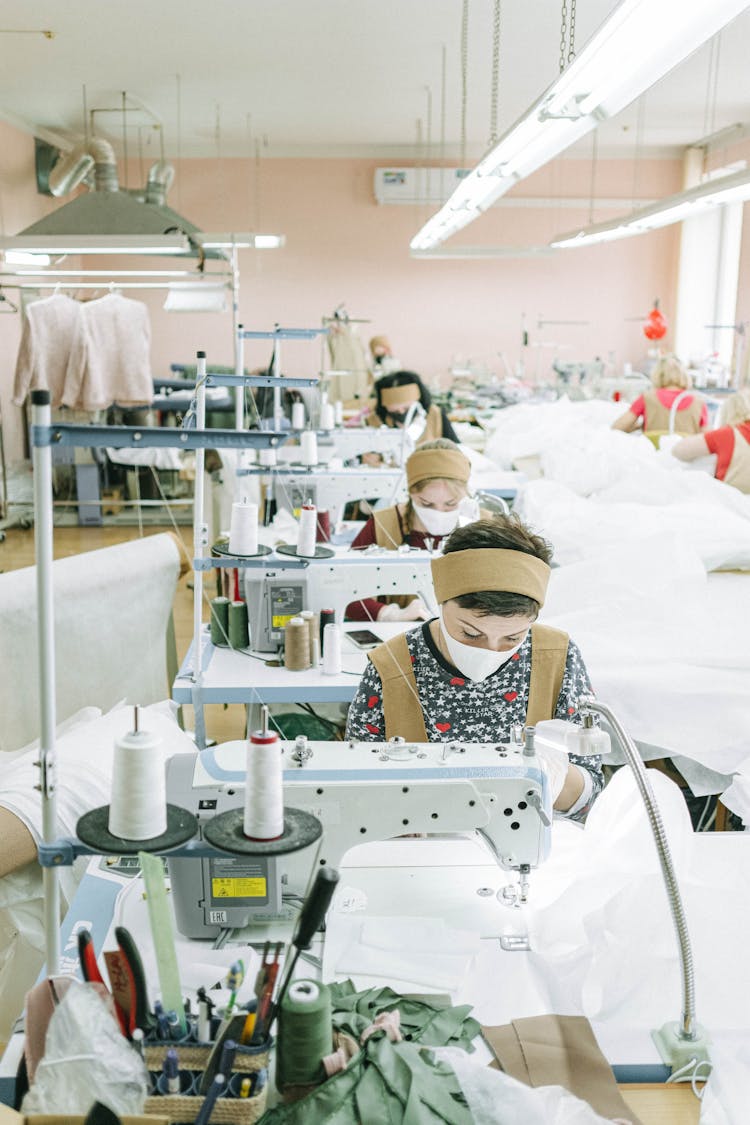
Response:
column 483, row 665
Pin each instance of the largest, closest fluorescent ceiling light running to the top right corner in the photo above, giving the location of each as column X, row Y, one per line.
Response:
column 640, row 42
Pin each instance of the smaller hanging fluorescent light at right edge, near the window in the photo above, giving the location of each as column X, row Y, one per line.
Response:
column 727, row 190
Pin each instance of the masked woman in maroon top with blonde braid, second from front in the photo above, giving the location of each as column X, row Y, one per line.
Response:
column 438, row 483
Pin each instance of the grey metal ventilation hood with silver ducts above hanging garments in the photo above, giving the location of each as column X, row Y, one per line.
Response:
column 109, row 211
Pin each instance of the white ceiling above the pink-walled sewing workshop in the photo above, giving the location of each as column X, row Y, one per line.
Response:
column 338, row 78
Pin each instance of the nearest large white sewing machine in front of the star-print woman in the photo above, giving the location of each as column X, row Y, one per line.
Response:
column 360, row 793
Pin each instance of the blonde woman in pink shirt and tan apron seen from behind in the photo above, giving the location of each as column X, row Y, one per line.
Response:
column 650, row 412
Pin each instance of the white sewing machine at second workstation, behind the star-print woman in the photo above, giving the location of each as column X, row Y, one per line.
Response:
column 278, row 590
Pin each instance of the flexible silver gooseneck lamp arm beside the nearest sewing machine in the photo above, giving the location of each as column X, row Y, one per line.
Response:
column 688, row 1025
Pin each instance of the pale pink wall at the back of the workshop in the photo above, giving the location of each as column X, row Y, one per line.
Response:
column 342, row 247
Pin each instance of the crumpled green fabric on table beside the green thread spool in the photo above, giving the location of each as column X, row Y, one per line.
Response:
column 388, row 1084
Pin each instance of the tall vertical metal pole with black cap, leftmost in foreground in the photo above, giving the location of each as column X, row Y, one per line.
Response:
column 43, row 542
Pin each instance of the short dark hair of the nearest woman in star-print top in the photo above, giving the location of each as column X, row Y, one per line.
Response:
column 502, row 533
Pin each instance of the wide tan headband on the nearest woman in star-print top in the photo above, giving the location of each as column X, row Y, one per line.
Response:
column 483, row 569
